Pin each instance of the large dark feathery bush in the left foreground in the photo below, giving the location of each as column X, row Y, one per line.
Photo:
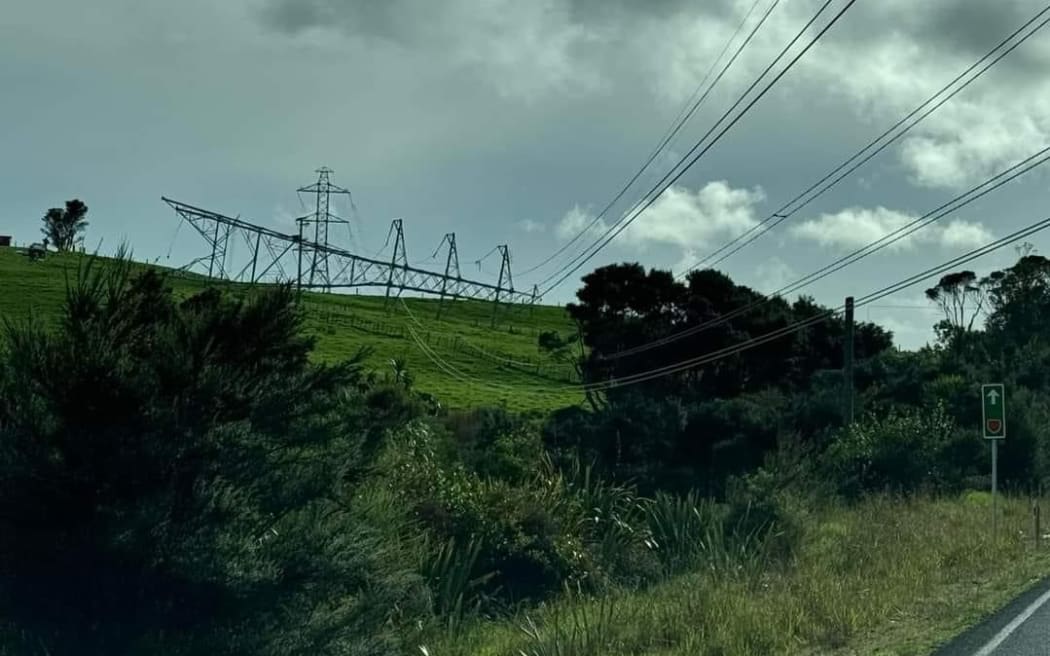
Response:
column 177, row 478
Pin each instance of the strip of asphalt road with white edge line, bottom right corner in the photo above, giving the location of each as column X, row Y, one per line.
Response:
column 1020, row 629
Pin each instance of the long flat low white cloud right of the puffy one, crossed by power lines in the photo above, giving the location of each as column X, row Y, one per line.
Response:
column 858, row 227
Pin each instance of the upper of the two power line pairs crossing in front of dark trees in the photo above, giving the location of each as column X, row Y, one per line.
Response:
column 954, row 205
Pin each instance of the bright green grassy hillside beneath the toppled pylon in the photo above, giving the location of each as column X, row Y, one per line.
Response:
column 459, row 358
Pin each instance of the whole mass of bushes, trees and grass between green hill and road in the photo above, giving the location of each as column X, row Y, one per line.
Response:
column 183, row 473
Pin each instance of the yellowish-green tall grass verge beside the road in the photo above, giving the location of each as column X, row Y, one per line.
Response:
column 892, row 575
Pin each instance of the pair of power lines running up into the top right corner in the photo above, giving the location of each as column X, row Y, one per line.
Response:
column 787, row 211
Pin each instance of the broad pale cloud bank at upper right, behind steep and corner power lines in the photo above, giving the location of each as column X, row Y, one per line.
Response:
column 885, row 59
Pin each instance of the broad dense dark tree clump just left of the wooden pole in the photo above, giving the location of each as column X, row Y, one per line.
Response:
column 675, row 427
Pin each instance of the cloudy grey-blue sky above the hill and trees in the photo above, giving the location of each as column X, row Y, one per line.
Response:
column 514, row 122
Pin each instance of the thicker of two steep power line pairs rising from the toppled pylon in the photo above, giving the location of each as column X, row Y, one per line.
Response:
column 622, row 225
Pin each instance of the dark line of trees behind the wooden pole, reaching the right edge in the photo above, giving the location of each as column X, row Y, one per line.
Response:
column 699, row 427
